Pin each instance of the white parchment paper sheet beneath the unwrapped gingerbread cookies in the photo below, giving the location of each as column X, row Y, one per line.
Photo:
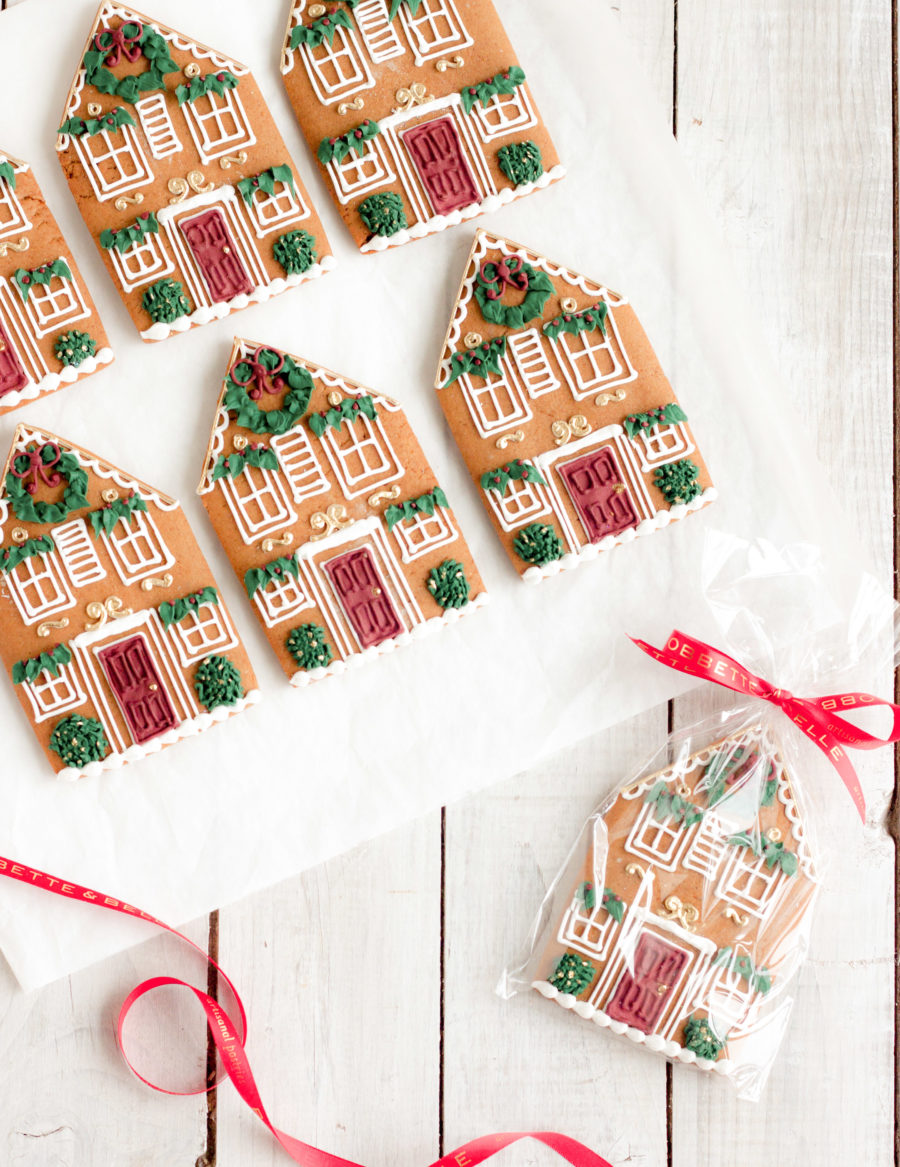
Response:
column 312, row 773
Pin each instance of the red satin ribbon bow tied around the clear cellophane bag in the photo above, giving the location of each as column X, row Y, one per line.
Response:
column 818, row 717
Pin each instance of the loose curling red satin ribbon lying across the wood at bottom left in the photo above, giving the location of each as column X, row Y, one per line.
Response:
column 231, row 1037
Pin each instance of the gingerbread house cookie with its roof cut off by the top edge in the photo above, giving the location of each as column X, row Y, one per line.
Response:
column 418, row 111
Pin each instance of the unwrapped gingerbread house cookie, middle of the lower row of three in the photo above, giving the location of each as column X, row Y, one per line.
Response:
column 331, row 515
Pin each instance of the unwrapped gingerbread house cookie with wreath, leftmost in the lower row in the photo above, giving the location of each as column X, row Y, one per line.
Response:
column 111, row 627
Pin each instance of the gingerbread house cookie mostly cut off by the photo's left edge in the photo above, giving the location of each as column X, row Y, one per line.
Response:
column 51, row 334
